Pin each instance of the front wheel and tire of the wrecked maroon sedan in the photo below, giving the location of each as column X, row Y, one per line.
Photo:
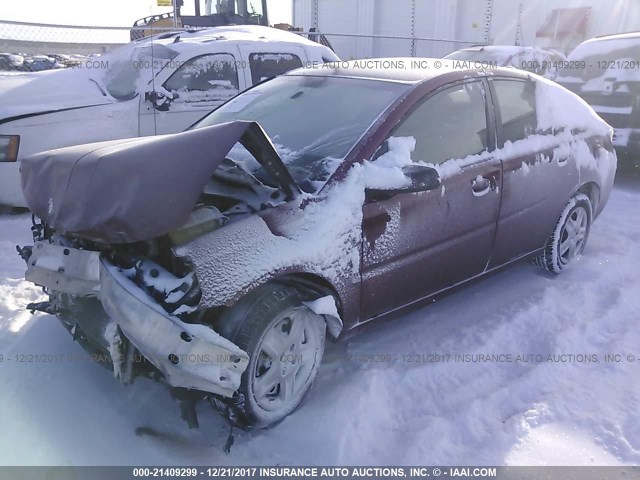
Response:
column 285, row 342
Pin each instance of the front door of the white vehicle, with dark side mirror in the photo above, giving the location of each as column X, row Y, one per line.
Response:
column 197, row 86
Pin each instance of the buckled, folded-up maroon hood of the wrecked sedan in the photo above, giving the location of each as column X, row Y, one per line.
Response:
column 138, row 189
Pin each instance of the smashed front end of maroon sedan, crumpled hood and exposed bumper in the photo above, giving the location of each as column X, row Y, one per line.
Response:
column 107, row 256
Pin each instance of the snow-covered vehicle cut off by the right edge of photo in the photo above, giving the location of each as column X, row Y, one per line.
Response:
column 605, row 71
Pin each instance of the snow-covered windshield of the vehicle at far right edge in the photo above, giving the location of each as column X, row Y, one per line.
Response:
column 605, row 58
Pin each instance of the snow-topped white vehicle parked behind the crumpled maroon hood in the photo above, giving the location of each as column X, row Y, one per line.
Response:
column 152, row 86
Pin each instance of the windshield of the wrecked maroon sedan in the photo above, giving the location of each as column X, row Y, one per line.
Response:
column 313, row 121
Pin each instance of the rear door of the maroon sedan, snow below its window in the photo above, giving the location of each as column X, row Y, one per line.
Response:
column 537, row 172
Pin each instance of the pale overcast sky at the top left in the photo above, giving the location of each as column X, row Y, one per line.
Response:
column 118, row 13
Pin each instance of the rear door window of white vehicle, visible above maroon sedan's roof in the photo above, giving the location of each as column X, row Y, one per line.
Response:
column 270, row 59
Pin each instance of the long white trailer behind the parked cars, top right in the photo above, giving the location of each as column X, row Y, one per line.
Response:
column 433, row 28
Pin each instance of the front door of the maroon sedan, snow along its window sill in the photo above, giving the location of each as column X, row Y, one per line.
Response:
column 417, row 244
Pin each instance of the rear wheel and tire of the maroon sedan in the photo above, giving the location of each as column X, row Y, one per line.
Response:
column 569, row 236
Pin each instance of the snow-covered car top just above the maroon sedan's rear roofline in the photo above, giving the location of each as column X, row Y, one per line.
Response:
column 532, row 59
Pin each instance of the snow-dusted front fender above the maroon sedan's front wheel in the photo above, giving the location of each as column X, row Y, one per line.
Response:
column 234, row 260
